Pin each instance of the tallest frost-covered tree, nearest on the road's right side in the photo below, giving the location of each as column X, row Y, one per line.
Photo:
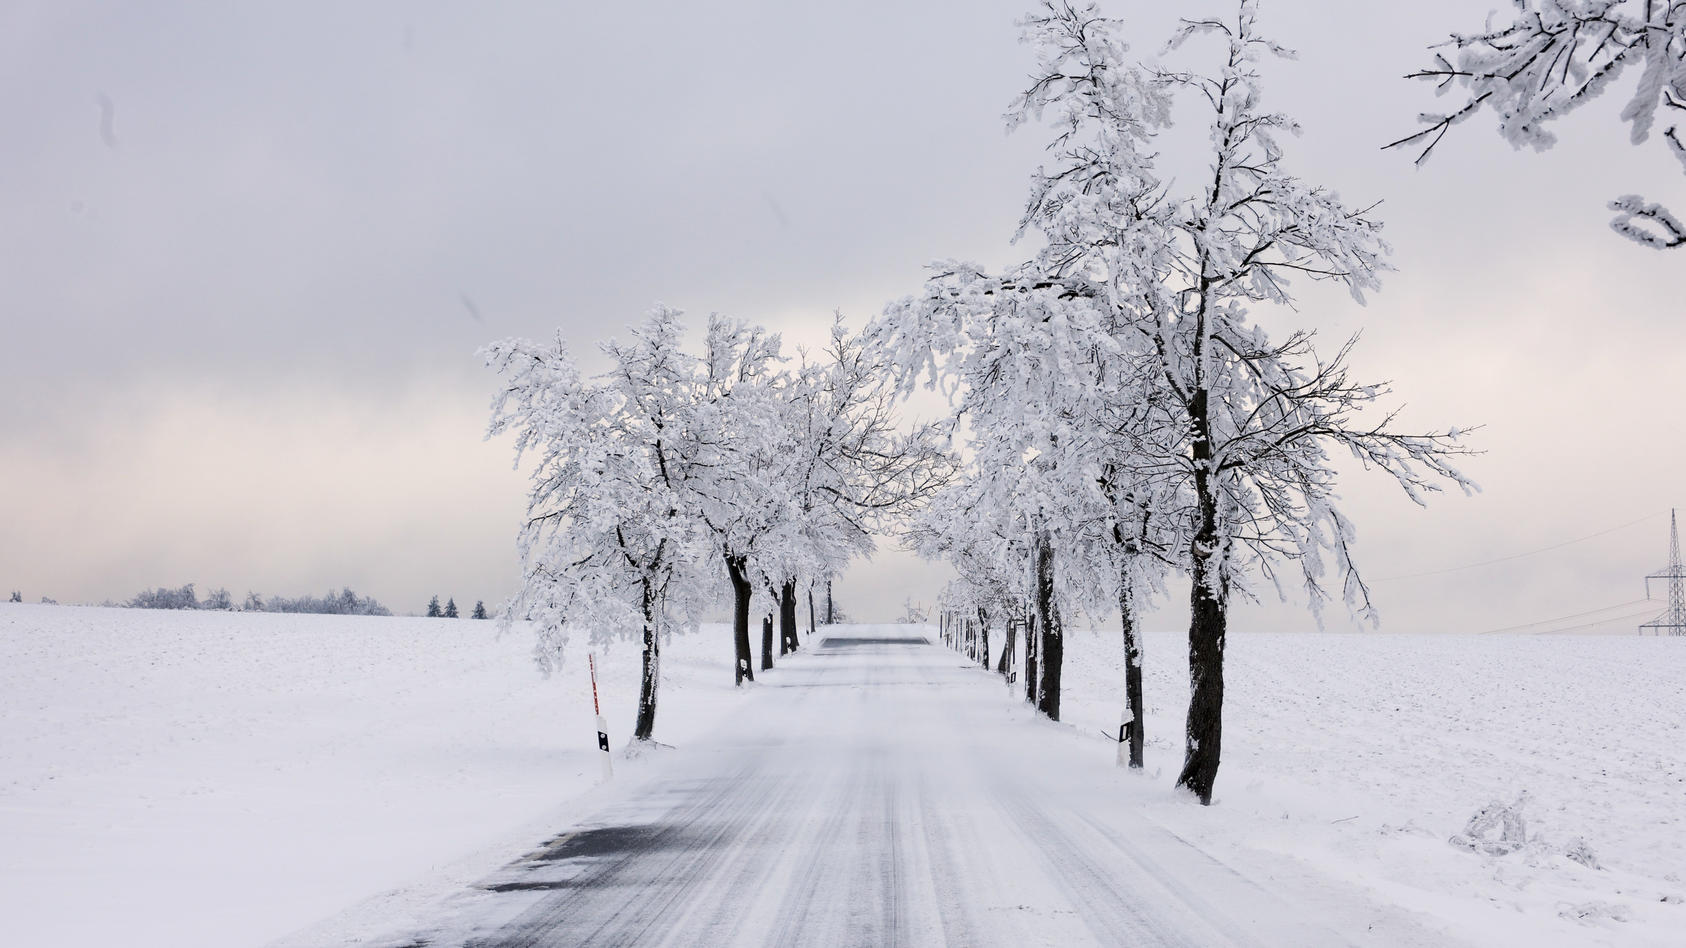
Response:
column 1250, row 421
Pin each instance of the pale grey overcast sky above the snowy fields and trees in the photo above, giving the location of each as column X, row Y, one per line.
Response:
column 247, row 259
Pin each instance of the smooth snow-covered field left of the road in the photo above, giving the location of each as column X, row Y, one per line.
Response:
column 223, row 778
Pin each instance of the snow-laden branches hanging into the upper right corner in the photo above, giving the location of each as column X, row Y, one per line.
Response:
column 1555, row 57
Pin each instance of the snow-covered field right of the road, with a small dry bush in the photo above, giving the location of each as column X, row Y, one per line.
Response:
column 1361, row 755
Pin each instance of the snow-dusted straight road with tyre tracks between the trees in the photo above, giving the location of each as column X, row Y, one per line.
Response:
column 876, row 792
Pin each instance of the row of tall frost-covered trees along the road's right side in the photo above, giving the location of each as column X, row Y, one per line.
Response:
column 1122, row 412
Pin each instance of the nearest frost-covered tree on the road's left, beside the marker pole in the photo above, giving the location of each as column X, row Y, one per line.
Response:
column 611, row 544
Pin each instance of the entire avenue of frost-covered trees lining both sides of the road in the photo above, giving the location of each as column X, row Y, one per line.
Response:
column 1122, row 414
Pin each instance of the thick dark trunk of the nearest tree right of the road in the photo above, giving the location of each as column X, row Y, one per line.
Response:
column 1206, row 627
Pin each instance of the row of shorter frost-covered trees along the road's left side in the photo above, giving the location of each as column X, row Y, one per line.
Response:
column 675, row 471
